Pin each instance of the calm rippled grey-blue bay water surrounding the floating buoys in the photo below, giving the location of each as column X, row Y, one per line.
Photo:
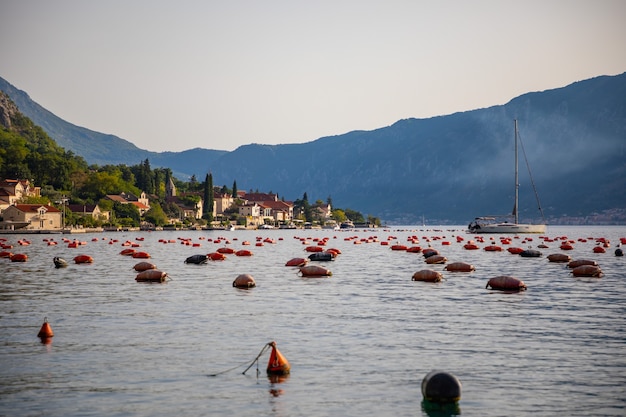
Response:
column 359, row 342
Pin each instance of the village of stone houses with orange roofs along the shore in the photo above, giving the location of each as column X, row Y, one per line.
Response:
column 253, row 210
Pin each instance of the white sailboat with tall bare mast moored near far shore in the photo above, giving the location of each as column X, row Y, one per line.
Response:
column 490, row 224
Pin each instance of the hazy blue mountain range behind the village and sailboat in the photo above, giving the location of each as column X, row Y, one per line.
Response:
column 446, row 169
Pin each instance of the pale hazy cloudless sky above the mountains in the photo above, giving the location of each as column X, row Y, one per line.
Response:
column 175, row 75
